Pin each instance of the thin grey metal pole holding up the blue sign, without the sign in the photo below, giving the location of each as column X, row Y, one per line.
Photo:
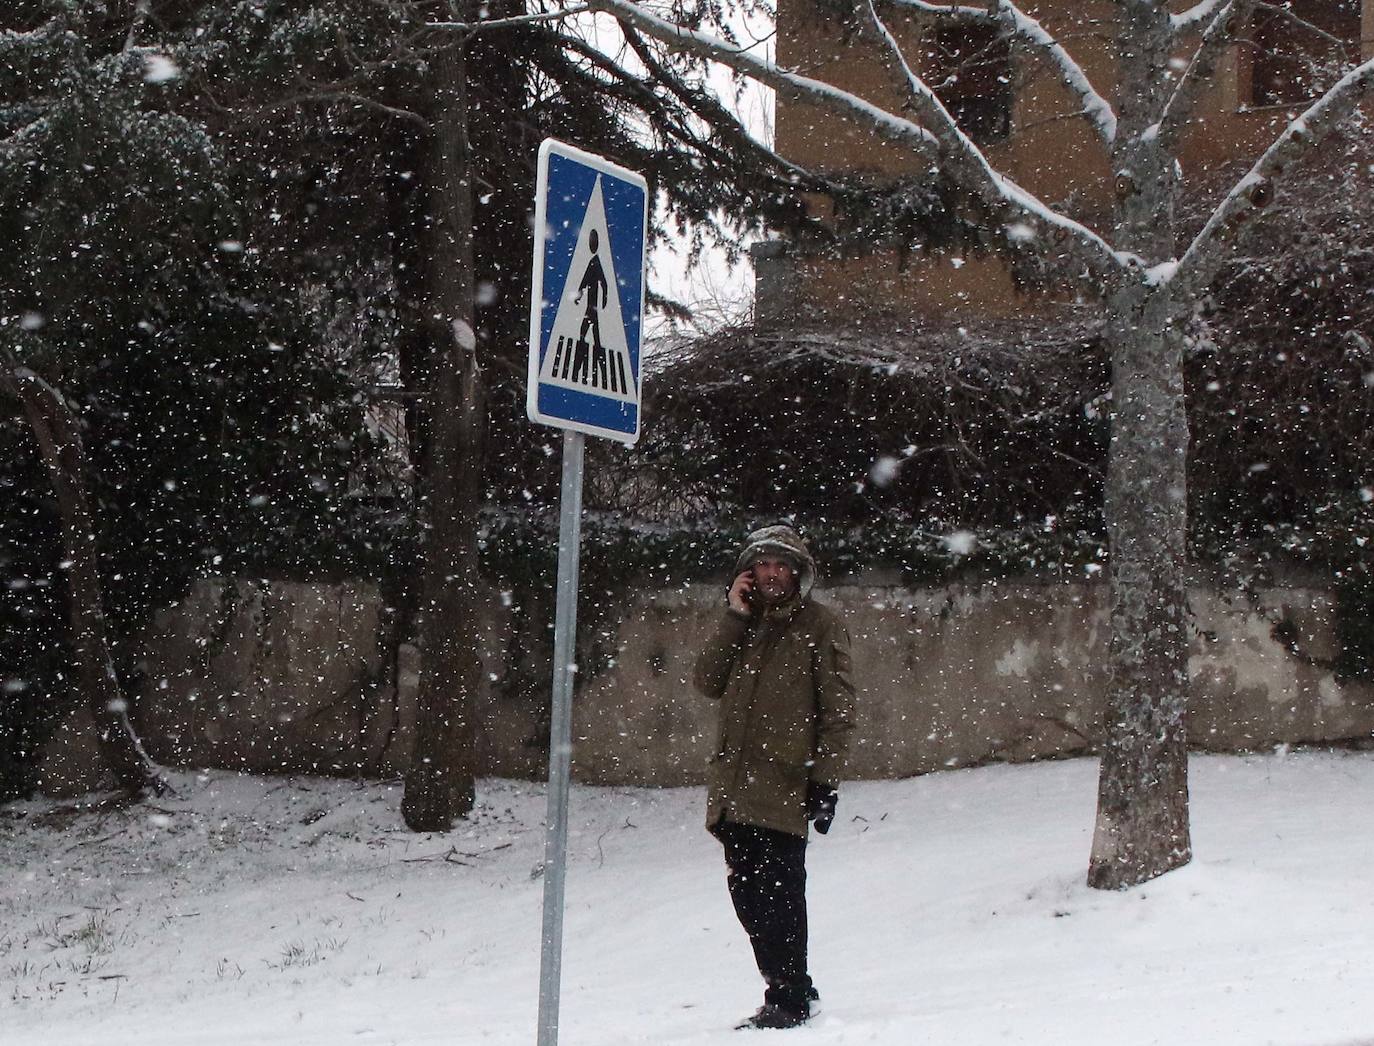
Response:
column 561, row 737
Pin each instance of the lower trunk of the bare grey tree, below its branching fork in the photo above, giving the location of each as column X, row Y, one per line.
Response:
column 1142, row 824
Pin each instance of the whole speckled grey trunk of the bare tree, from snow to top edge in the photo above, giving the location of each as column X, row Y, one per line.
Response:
column 1142, row 824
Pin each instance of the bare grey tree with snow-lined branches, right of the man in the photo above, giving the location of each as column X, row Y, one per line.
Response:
column 1148, row 288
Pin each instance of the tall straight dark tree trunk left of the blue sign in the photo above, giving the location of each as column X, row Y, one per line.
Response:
column 440, row 783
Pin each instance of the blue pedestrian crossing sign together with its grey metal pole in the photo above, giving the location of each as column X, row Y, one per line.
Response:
column 586, row 324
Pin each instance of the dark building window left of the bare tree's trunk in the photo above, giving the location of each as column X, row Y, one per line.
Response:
column 972, row 76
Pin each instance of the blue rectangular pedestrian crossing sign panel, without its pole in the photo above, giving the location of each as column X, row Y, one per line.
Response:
column 587, row 303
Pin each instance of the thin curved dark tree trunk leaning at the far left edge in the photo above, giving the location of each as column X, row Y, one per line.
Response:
column 60, row 441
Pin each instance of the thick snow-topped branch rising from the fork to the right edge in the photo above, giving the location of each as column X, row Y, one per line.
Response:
column 1257, row 189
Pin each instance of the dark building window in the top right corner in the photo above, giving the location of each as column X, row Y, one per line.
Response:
column 1295, row 63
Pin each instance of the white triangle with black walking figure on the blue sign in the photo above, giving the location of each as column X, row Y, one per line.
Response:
column 589, row 337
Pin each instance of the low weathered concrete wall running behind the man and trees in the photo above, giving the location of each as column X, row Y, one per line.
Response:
column 285, row 678
